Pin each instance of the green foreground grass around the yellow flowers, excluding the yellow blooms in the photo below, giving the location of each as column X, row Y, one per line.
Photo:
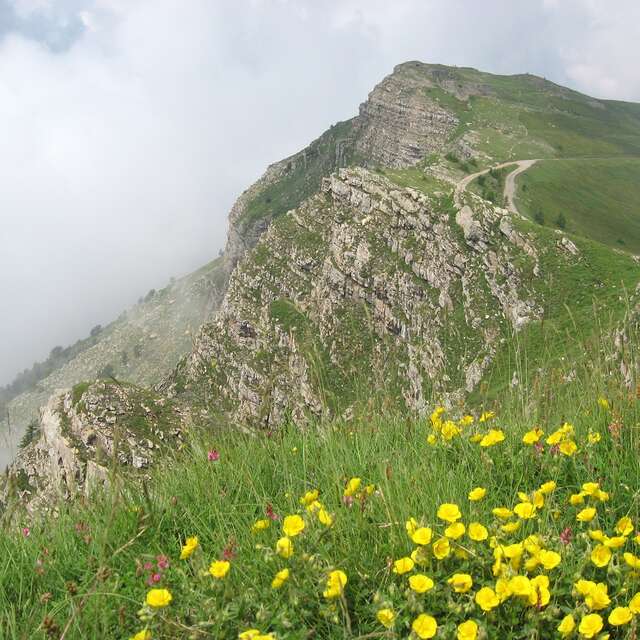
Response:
column 84, row 571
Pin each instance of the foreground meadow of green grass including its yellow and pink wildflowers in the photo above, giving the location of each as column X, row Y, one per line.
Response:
column 520, row 521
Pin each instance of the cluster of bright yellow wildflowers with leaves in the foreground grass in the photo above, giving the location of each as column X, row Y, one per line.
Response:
column 554, row 559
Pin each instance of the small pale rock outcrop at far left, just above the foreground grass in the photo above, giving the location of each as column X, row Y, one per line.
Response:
column 84, row 434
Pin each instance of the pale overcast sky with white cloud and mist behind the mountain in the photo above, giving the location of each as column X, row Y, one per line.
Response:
column 128, row 127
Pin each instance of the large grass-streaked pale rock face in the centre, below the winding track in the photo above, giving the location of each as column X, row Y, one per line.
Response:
column 365, row 285
